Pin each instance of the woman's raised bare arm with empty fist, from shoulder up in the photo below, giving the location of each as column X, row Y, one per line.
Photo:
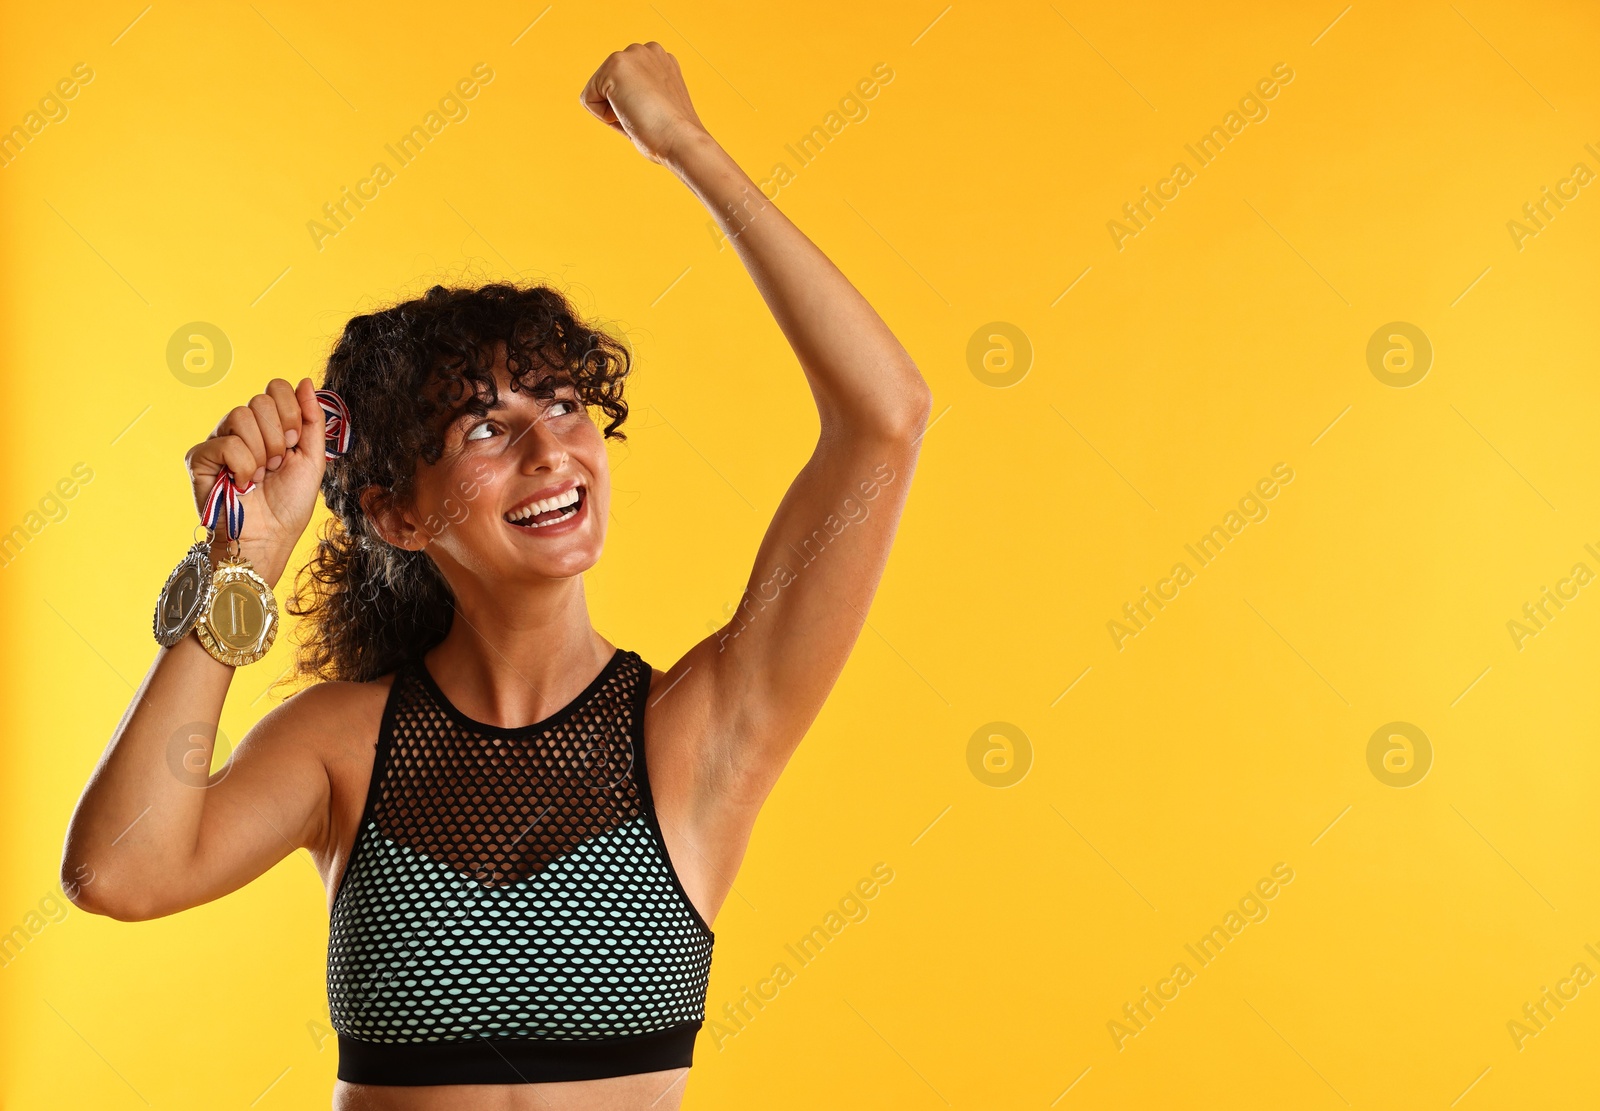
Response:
column 750, row 692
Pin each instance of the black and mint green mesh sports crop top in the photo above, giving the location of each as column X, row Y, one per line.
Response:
column 510, row 912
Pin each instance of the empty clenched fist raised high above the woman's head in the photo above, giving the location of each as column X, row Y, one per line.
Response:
column 641, row 94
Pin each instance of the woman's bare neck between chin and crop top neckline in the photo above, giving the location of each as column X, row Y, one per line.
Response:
column 518, row 660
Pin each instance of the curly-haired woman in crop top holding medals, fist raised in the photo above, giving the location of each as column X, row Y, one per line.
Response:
column 524, row 830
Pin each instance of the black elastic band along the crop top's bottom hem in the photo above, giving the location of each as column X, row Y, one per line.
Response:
column 514, row 1061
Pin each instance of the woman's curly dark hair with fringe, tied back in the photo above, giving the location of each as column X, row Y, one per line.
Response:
column 407, row 374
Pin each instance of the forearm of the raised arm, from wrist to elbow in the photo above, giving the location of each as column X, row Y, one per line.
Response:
column 860, row 374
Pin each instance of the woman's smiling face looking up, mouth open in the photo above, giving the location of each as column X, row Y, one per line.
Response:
column 521, row 494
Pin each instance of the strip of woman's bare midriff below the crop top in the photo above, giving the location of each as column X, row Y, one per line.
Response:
column 639, row 1093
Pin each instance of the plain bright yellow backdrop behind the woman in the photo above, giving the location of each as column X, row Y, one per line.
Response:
column 1223, row 340
